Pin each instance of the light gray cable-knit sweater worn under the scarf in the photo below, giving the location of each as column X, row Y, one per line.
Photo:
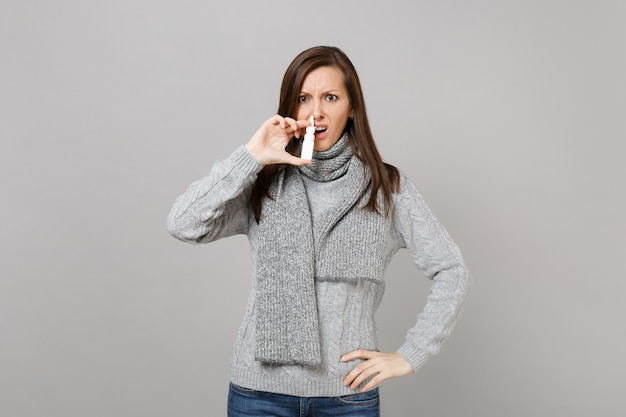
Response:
column 218, row 206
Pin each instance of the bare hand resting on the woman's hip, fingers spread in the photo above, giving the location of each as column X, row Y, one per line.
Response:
column 378, row 365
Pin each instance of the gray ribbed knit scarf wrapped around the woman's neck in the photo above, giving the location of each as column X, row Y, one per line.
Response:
column 289, row 260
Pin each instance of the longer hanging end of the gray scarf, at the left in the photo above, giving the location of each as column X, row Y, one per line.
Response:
column 286, row 326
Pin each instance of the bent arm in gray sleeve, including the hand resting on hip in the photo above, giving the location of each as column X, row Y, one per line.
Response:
column 434, row 253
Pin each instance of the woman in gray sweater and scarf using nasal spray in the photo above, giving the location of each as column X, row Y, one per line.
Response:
column 321, row 233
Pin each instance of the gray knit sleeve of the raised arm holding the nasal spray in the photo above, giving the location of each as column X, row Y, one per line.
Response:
column 216, row 206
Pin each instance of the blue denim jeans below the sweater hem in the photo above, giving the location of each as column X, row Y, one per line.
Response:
column 243, row 402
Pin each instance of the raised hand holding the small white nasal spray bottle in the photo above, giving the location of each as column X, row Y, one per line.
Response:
column 268, row 144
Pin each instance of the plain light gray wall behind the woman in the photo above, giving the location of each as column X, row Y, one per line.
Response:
column 509, row 115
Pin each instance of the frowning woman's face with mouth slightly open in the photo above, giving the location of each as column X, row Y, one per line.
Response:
column 324, row 96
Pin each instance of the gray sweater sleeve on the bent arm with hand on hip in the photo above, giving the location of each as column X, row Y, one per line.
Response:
column 438, row 257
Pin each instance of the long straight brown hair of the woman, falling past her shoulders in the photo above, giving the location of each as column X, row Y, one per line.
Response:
column 385, row 177
